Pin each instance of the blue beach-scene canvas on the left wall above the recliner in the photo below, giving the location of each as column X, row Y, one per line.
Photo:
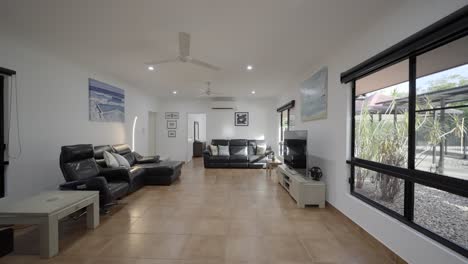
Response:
column 106, row 102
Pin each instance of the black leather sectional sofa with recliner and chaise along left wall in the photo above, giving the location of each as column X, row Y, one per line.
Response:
column 84, row 168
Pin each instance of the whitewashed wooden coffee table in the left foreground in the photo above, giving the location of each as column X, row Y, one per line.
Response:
column 46, row 209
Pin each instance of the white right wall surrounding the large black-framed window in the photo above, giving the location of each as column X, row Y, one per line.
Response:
column 329, row 140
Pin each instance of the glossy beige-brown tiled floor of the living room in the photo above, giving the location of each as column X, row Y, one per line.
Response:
column 209, row 216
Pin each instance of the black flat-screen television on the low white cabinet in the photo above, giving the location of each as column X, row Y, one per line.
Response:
column 295, row 150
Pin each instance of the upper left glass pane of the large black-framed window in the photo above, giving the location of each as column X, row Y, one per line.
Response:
column 381, row 116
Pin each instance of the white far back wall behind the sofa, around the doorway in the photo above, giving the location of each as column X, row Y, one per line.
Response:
column 219, row 123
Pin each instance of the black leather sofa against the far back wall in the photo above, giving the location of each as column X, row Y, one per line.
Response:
column 237, row 154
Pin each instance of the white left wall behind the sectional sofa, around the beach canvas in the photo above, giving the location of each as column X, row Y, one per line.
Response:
column 53, row 111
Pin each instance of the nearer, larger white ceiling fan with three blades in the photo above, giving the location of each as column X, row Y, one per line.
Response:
column 184, row 55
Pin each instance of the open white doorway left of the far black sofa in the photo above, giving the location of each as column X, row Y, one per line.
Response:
column 196, row 134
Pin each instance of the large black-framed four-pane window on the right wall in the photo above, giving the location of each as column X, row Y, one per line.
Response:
column 409, row 131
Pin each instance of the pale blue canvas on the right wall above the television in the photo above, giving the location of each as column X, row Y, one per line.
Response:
column 314, row 93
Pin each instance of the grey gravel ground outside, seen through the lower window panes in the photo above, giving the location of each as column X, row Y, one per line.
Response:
column 441, row 212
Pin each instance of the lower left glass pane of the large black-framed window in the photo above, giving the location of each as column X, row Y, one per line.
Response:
column 381, row 188
